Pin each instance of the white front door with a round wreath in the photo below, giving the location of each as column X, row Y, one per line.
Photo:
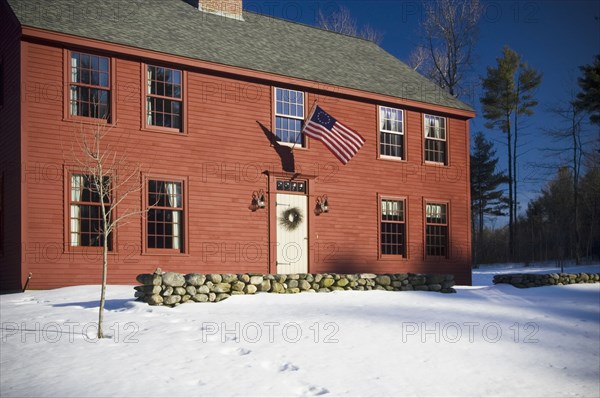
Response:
column 292, row 234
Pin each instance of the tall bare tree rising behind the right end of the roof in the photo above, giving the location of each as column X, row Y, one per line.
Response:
column 449, row 31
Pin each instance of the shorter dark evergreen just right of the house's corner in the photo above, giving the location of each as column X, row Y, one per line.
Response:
column 486, row 198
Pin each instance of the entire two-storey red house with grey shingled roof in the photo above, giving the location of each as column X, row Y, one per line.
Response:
column 211, row 101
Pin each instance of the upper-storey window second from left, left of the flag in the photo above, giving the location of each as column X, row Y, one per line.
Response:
column 164, row 97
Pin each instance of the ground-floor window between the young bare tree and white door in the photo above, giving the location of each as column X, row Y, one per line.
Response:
column 165, row 215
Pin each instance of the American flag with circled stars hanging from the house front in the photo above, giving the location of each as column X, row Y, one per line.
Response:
column 342, row 141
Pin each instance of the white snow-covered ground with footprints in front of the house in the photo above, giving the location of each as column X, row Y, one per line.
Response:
column 483, row 341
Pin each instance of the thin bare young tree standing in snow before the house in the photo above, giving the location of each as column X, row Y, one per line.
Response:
column 108, row 178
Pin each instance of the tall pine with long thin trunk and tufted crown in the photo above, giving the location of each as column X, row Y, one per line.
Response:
column 508, row 94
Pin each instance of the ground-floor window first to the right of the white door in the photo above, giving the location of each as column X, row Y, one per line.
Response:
column 393, row 227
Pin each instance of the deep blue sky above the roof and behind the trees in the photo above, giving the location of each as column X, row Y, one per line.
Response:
column 554, row 36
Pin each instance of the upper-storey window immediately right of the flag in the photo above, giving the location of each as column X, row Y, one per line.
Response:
column 391, row 132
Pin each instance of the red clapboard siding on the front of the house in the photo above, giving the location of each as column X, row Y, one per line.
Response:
column 221, row 157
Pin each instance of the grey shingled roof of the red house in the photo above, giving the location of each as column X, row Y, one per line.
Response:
column 259, row 43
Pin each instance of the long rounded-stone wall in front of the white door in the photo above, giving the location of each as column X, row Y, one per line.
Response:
column 170, row 288
